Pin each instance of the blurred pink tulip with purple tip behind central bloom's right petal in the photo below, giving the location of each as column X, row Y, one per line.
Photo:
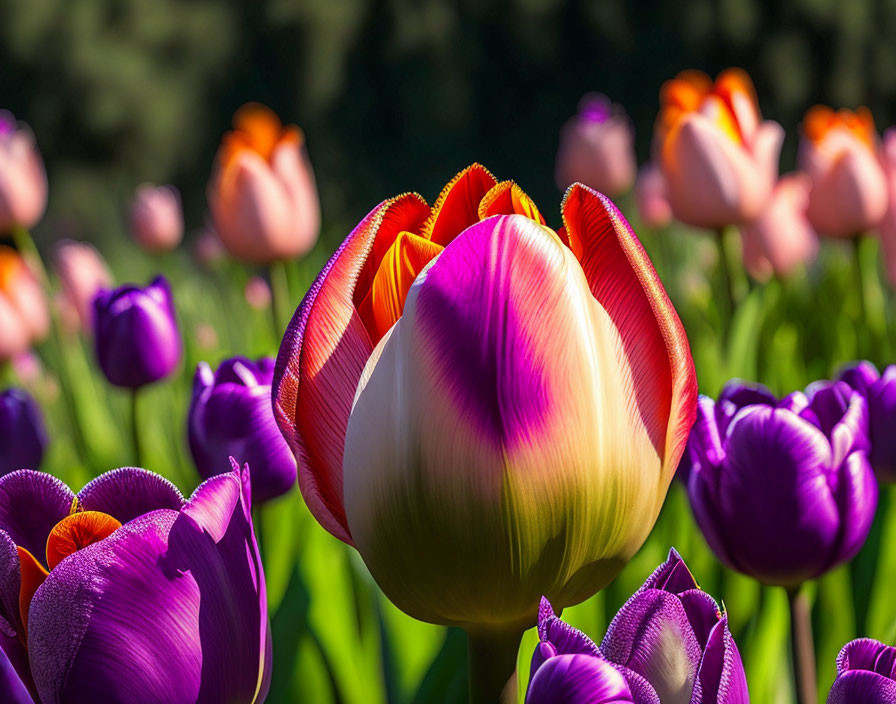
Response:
column 597, row 148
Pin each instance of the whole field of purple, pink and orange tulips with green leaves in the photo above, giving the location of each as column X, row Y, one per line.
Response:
column 632, row 444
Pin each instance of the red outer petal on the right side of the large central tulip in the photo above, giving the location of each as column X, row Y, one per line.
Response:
column 625, row 283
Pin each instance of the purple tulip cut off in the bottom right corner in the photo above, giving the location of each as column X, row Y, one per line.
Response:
column 866, row 674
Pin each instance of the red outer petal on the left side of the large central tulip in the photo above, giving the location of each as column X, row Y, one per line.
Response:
column 321, row 359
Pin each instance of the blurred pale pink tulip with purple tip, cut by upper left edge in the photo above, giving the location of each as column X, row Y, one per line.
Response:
column 23, row 182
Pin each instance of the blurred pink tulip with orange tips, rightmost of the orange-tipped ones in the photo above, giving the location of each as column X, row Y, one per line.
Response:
column 839, row 151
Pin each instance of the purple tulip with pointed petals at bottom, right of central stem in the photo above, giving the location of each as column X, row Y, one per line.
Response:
column 669, row 642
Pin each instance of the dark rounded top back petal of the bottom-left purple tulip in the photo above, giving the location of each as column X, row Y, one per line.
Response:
column 129, row 492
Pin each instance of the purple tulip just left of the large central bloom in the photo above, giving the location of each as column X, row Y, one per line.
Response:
column 231, row 416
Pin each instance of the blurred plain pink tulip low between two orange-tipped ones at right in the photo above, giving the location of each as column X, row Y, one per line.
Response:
column 781, row 238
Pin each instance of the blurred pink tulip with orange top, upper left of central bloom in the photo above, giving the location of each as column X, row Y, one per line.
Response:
column 262, row 194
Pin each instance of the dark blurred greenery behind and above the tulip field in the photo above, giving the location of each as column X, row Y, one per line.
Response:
column 394, row 95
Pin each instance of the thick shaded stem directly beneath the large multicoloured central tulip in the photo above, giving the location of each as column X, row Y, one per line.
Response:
column 492, row 660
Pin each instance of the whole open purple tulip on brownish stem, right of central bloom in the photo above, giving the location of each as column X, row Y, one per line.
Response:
column 783, row 491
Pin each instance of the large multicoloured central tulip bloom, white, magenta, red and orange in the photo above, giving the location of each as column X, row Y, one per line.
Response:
column 461, row 389
